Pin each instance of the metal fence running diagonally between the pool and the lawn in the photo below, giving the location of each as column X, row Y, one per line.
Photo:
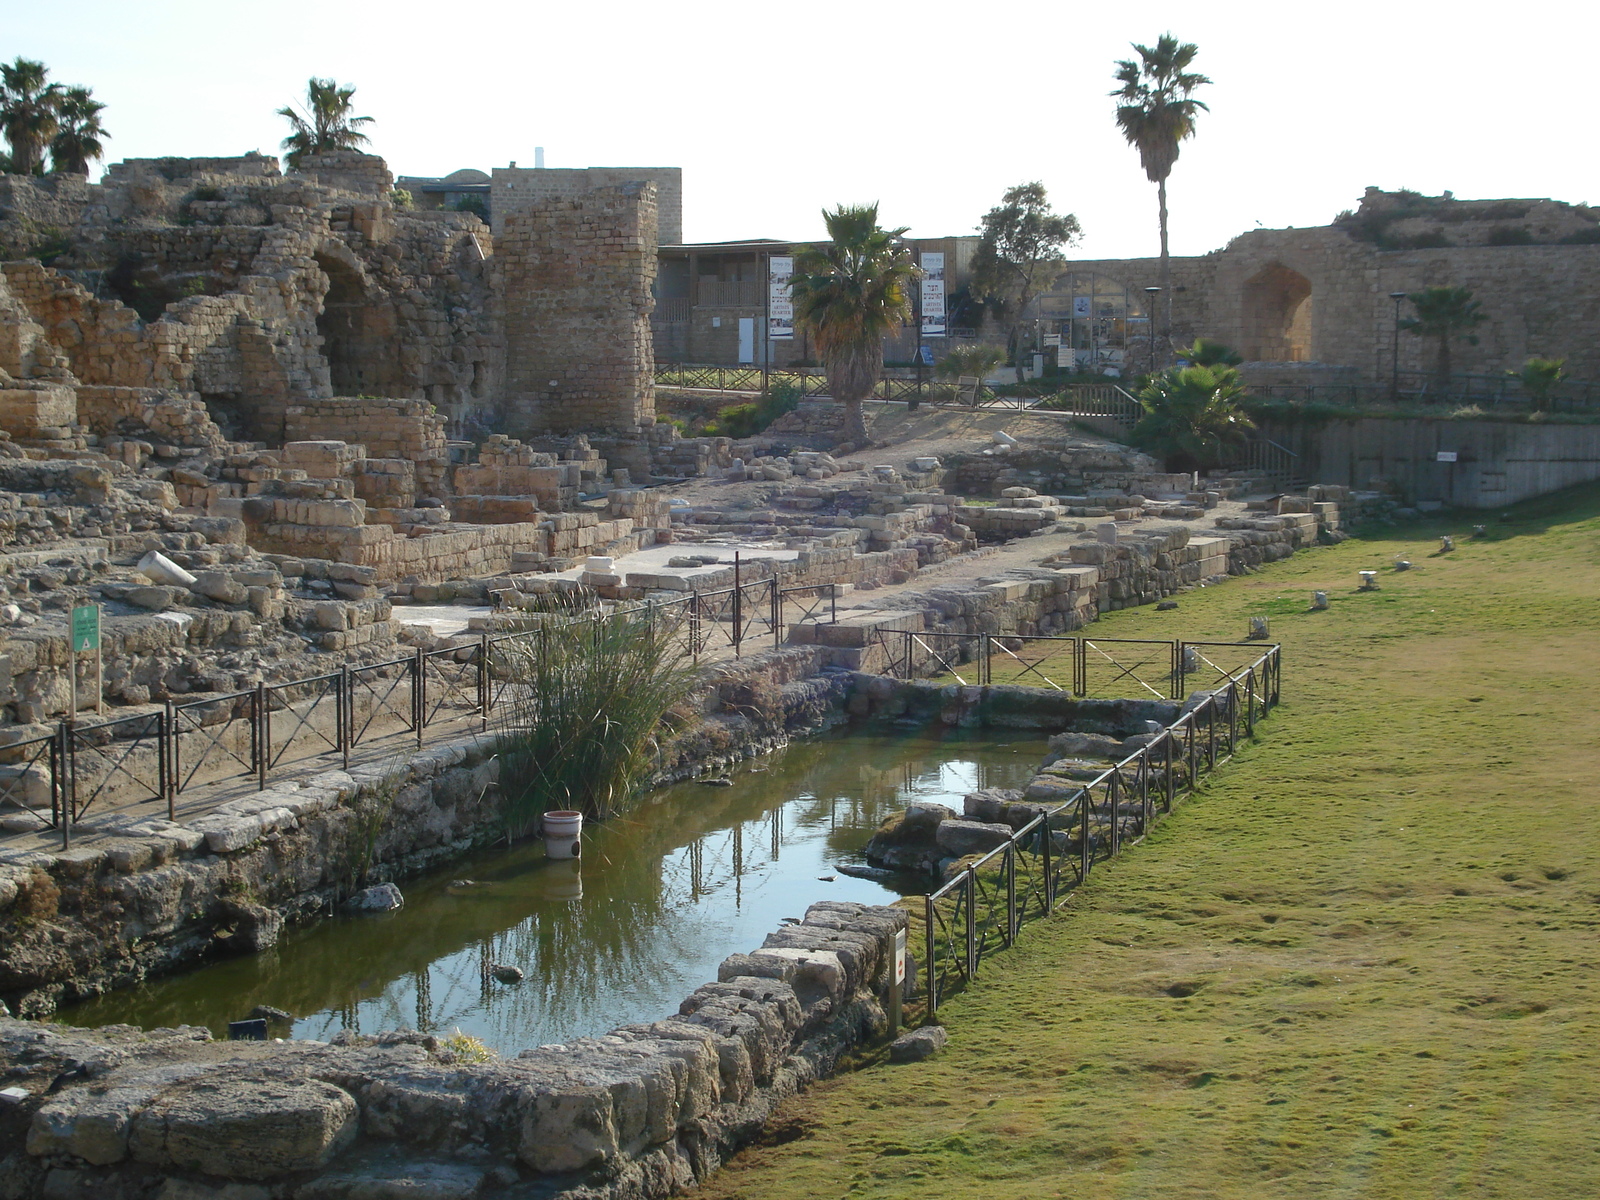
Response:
column 986, row 903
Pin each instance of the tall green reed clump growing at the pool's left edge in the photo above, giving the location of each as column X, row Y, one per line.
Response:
column 585, row 703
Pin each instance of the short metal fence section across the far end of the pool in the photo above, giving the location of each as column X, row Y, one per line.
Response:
column 1074, row 665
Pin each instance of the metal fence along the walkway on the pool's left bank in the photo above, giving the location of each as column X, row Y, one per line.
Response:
column 159, row 756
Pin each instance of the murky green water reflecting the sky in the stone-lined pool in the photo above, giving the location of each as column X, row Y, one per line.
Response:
column 658, row 900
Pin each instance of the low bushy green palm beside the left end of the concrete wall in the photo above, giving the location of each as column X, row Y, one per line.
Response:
column 1193, row 417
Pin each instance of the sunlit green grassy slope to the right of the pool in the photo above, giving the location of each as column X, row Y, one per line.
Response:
column 1383, row 911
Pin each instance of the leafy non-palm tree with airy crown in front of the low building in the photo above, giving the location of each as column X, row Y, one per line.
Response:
column 1018, row 250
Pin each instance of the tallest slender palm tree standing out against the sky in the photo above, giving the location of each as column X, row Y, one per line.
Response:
column 1156, row 114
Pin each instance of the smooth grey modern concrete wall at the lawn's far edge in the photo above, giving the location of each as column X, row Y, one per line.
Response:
column 1497, row 462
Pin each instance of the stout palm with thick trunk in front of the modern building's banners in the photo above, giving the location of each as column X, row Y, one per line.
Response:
column 849, row 295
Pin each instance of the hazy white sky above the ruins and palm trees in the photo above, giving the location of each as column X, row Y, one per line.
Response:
column 934, row 110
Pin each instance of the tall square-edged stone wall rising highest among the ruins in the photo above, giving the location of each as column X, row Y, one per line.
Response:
column 574, row 282
